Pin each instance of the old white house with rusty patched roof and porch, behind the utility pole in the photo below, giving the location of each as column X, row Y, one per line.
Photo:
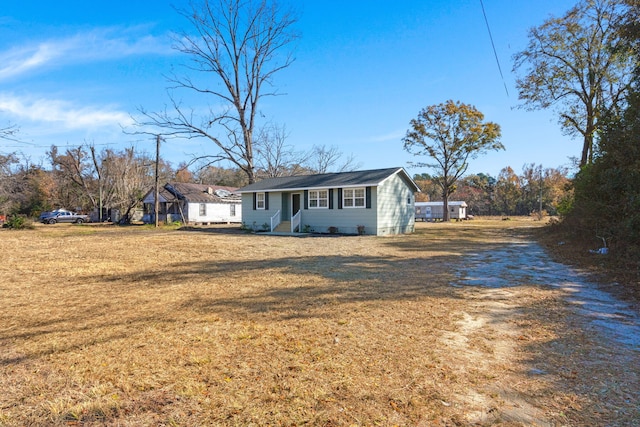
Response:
column 194, row 204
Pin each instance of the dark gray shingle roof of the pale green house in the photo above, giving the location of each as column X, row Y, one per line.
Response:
column 328, row 180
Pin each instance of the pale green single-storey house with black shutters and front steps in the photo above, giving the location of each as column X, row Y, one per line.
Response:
column 377, row 202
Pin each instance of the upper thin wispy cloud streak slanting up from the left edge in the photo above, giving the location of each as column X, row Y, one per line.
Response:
column 95, row 45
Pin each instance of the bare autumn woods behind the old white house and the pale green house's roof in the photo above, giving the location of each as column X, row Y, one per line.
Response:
column 87, row 179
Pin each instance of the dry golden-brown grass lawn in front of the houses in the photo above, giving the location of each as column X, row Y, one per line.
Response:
column 136, row 326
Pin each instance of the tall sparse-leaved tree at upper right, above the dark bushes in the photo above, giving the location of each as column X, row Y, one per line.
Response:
column 579, row 65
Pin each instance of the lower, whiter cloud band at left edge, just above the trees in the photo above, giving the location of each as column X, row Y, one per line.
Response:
column 62, row 114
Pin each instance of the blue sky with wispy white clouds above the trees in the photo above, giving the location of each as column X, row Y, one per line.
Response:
column 78, row 71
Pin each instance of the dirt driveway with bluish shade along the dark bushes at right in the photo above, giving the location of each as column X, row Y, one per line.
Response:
column 579, row 347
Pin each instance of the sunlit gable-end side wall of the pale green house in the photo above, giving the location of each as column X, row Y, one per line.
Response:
column 395, row 209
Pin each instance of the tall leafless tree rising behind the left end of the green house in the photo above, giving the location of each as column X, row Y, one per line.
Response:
column 239, row 43
